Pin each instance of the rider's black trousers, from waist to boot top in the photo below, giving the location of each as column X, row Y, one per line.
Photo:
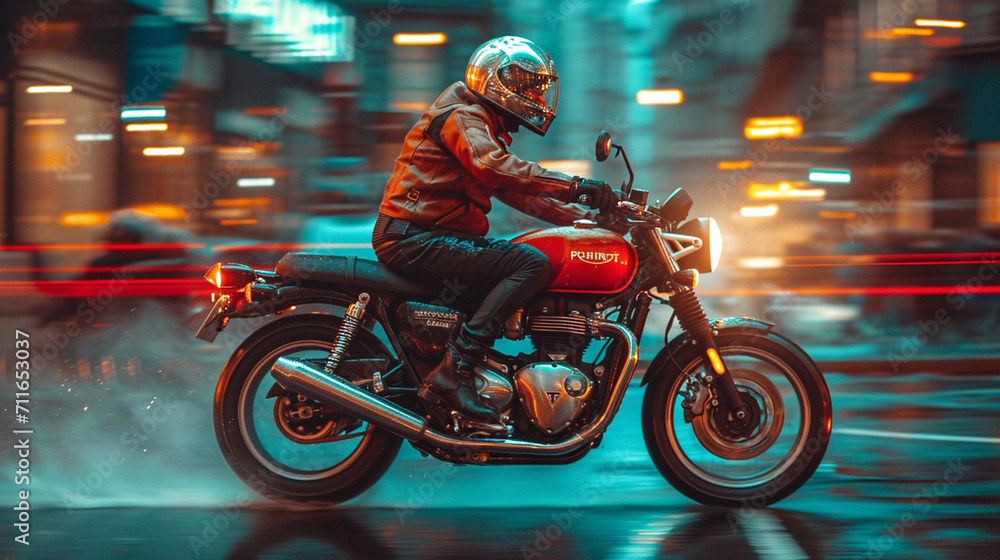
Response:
column 508, row 273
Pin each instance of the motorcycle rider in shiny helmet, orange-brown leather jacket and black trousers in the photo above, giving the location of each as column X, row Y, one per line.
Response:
column 432, row 219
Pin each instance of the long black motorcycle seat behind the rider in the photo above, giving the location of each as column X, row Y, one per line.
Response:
column 362, row 274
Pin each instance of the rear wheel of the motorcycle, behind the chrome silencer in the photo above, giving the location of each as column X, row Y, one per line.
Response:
column 335, row 457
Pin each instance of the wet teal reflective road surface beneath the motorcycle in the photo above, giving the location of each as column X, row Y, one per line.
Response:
column 910, row 473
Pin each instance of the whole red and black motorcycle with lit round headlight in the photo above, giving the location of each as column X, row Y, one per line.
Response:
column 314, row 406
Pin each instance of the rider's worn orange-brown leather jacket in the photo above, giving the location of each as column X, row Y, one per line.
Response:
column 455, row 159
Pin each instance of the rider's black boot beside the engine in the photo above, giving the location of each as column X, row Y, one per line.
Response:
column 452, row 383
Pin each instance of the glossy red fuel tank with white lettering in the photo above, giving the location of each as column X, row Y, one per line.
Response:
column 584, row 259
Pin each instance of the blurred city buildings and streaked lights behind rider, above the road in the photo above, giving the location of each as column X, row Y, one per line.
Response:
column 849, row 150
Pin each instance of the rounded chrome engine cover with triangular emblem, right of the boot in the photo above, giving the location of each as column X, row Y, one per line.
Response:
column 552, row 393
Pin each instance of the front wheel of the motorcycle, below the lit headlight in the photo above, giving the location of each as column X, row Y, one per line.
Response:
column 712, row 463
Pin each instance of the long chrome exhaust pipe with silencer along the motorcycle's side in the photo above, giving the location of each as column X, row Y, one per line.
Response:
column 317, row 384
